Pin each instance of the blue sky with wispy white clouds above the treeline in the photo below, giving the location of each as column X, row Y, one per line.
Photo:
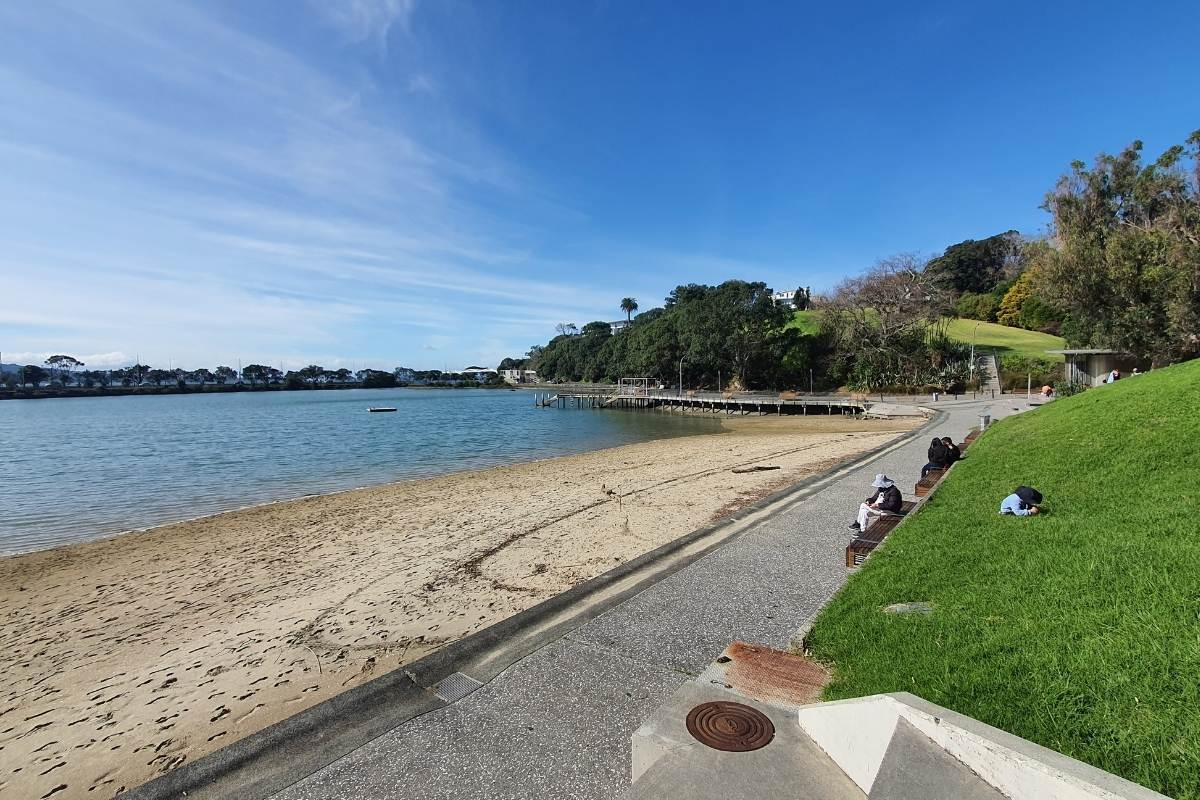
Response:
column 437, row 184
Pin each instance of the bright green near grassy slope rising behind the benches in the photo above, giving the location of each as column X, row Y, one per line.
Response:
column 1079, row 630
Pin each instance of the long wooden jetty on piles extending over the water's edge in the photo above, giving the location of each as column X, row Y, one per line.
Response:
column 729, row 404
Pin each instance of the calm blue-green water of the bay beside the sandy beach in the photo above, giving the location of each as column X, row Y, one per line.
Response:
column 83, row 468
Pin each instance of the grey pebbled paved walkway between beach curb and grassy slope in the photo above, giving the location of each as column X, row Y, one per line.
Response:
column 559, row 723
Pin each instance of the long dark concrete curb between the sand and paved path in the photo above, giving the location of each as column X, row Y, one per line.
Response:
column 293, row 749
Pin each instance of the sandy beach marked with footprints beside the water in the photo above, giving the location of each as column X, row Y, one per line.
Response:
column 123, row 659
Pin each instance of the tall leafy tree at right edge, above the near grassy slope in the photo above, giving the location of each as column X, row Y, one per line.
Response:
column 1126, row 264
